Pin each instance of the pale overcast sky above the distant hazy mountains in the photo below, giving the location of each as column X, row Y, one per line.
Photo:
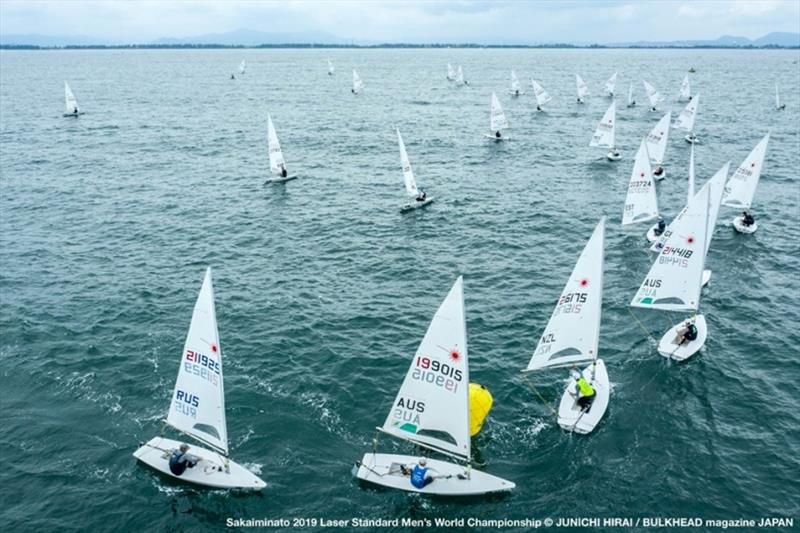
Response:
column 407, row 21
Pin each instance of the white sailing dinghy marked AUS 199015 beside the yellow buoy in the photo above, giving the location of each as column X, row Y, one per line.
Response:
column 431, row 411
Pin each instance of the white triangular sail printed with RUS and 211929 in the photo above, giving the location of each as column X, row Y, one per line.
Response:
column 198, row 402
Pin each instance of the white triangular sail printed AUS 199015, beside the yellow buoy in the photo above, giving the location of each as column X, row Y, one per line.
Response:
column 432, row 406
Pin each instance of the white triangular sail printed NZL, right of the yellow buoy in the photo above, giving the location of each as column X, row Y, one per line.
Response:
column 572, row 334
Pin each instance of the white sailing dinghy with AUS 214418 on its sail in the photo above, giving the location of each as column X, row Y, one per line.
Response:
column 675, row 278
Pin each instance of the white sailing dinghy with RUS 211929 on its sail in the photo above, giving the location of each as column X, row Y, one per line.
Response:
column 198, row 408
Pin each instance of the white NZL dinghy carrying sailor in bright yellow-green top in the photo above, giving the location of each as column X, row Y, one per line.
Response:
column 572, row 337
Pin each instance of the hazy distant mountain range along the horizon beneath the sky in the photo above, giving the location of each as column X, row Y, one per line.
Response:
column 250, row 38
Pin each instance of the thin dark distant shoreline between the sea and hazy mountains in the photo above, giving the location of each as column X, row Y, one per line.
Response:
column 381, row 46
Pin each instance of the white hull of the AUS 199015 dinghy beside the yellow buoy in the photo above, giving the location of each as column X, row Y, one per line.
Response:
column 384, row 469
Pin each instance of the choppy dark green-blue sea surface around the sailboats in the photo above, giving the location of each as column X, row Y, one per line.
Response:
column 324, row 289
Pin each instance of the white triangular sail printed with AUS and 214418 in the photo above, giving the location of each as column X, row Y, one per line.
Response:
column 673, row 282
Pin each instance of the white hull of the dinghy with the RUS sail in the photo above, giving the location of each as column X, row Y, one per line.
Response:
column 209, row 472
